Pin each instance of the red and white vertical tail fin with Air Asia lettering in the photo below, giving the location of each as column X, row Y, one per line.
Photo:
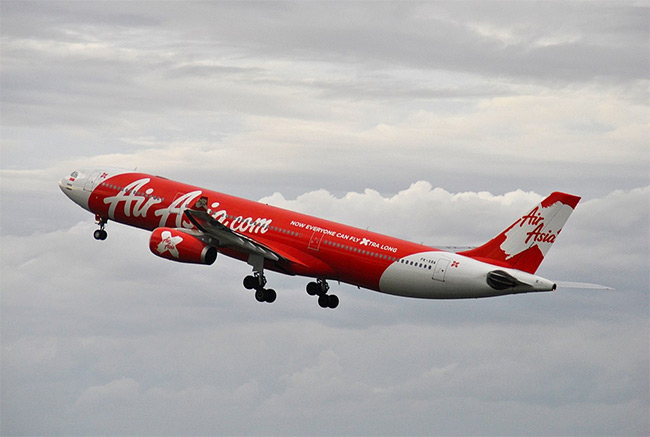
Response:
column 524, row 244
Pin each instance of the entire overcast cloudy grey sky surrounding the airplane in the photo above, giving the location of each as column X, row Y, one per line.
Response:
column 437, row 122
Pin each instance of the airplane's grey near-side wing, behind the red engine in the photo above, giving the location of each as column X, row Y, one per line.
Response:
column 227, row 237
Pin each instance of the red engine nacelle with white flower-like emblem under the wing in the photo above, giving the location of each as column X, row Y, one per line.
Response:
column 180, row 245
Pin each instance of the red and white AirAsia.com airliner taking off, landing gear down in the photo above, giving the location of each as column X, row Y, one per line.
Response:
column 193, row 225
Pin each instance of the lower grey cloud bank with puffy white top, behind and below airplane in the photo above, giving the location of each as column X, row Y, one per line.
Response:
column 132, row 343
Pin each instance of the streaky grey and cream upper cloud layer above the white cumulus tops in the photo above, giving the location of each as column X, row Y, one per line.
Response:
column 410, row 92
